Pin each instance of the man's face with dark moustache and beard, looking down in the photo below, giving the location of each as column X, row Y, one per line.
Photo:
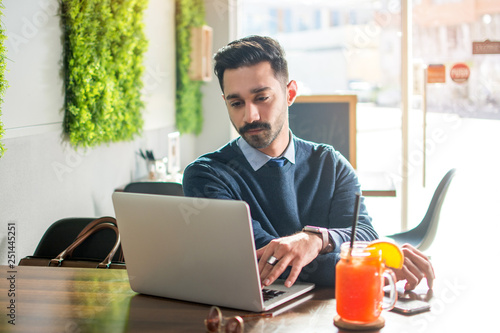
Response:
column 257, row 103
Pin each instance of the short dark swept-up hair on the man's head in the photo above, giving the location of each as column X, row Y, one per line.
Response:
column 249, row 51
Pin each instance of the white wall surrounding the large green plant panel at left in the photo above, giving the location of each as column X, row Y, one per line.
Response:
column 42, row 178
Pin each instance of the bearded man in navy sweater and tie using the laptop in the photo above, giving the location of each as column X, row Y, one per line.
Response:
column 315, row 185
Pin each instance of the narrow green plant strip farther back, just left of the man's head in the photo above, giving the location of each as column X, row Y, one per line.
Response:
column 189, row 117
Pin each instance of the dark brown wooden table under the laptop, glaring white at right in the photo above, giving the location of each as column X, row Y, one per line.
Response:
column 91, row 300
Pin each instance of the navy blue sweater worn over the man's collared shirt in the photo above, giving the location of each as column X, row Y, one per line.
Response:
column 319, row 189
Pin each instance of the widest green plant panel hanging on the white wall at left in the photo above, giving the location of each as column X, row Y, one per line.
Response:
column 104, row 44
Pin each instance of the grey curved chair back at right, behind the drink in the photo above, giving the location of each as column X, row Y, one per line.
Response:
column 423, row 235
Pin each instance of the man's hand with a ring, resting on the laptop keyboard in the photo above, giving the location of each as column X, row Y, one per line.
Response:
column 297, row 251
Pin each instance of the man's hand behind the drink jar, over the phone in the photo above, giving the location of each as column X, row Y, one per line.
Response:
column 416, row 266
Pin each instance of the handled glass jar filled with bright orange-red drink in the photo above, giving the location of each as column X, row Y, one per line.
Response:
column 359, row 284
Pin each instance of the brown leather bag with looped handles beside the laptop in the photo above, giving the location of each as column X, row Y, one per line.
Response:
column 64, row 258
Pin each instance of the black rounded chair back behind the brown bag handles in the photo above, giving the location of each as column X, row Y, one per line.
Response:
column 64, row 231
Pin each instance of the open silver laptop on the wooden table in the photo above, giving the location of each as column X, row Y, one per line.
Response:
column 195, row 249
